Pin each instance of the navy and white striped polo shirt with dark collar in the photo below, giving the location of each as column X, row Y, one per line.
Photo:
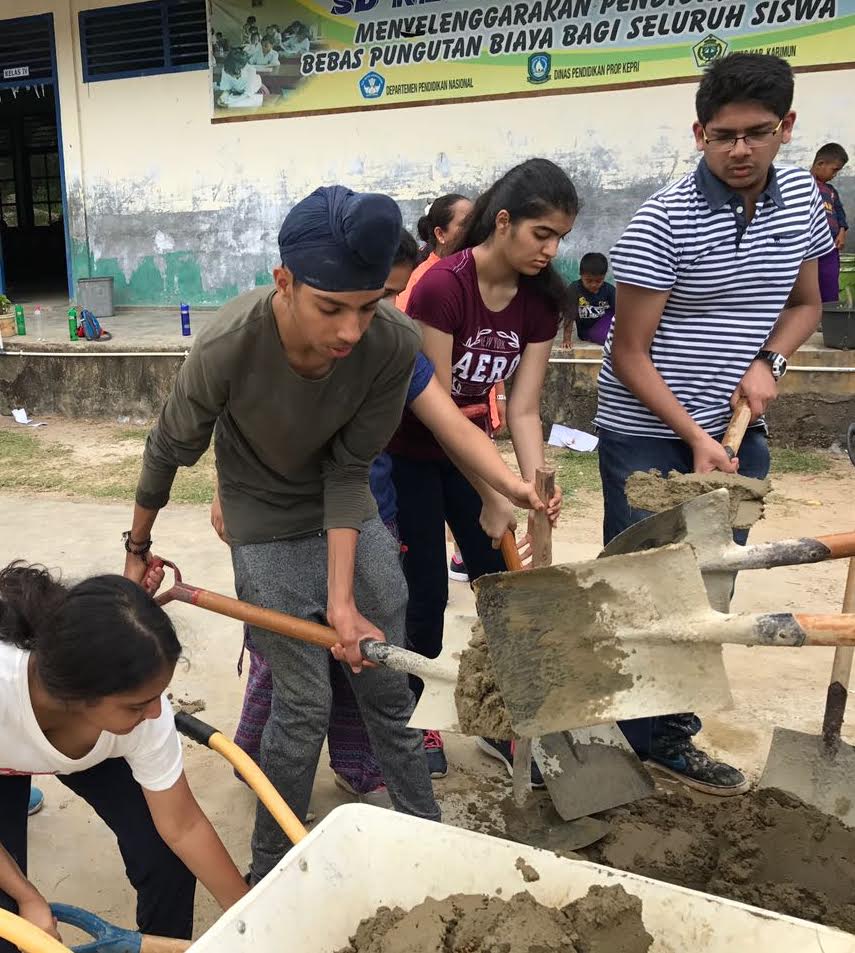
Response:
column 728, row 278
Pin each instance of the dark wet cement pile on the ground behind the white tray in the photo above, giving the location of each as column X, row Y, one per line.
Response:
column 766, row 848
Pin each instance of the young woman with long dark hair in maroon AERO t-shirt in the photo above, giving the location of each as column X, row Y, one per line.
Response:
column 489, row 311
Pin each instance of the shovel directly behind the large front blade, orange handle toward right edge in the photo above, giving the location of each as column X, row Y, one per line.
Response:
column 704, row 524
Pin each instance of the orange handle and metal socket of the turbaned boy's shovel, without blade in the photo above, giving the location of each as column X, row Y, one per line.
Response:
column 281, row 623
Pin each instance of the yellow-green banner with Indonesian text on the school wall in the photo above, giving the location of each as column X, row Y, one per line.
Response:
column 367, row 54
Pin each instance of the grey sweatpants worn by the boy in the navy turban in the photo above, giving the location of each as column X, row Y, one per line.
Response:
column 291, row 576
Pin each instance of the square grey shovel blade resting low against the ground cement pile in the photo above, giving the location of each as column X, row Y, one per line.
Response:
column 590, row 770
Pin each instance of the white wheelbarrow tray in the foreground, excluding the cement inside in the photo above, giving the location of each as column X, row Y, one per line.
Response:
column 360, row 858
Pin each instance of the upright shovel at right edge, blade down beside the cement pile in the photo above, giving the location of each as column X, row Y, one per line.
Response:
column 820, row 769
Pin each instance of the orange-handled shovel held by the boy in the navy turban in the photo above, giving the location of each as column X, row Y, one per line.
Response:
column 436, row 706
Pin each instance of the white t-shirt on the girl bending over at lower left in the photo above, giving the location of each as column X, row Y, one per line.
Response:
column 152, row 749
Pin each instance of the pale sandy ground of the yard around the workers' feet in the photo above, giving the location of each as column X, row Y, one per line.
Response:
column 73, row 856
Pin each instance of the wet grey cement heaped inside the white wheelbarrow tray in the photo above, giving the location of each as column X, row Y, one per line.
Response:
column 607, row 920
